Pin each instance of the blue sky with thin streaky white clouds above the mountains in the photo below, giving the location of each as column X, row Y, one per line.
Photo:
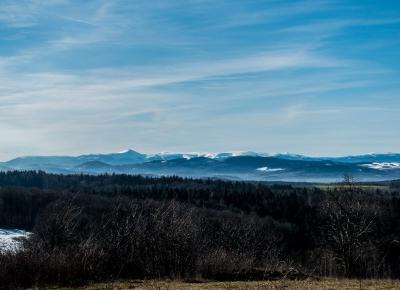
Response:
column 317, row 77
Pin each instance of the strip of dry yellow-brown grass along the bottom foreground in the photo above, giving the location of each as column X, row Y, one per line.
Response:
column 323, row 284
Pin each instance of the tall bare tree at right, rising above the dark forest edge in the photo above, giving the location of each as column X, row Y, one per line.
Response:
column 350, row 219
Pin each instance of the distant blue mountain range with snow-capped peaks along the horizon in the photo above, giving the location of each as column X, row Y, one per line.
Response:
column 227, row 165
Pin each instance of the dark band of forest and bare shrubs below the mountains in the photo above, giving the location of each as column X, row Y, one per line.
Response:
column 94, row 228
